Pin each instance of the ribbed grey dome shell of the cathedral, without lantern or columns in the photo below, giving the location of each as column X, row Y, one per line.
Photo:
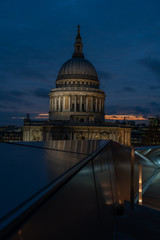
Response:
column 77, row 68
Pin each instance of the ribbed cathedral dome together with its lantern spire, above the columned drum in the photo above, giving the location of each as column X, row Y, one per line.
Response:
column 77, row 67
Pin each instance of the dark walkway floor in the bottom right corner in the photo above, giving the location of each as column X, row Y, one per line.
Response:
column 140, row 223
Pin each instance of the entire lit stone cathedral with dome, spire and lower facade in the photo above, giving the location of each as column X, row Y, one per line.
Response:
column 76, row 106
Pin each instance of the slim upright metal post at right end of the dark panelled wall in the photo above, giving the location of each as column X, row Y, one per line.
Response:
column 132, row 178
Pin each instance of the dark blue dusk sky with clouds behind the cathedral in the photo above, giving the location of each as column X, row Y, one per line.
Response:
column 120, row 38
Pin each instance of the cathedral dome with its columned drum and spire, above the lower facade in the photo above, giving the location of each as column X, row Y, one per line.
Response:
column 77, row 96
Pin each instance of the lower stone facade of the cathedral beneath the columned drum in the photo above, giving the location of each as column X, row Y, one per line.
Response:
column 45, row 131
